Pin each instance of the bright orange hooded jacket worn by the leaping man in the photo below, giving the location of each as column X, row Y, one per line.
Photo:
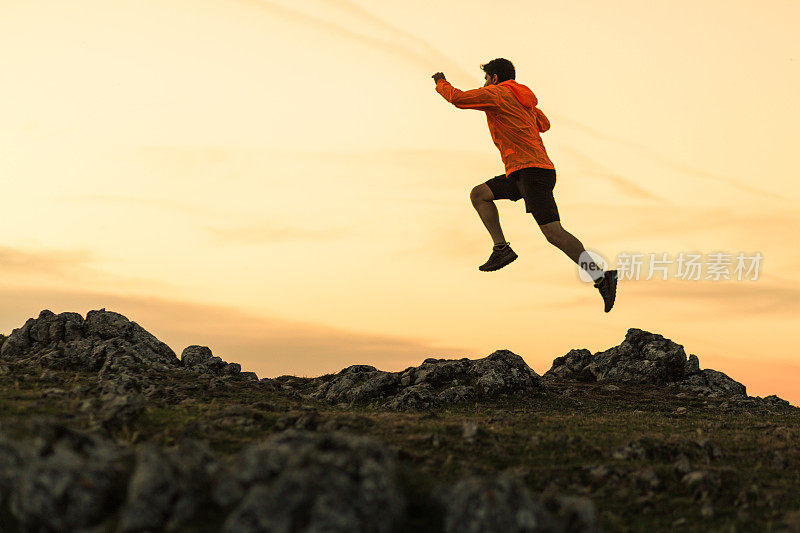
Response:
column 514, row 120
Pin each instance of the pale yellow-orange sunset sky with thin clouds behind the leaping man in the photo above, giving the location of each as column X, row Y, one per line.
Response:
column 279, row 180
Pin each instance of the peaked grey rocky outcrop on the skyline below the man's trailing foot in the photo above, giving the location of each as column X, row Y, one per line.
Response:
column 644, row 358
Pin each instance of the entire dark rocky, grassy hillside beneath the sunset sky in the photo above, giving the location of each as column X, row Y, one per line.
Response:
column 104, row 428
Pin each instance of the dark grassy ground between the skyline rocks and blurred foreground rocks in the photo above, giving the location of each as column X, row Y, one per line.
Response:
column 562, row 442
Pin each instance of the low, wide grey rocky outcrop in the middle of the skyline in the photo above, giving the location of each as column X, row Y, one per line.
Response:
column 435, row 382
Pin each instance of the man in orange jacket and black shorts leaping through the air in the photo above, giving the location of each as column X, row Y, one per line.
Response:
column 514, row 124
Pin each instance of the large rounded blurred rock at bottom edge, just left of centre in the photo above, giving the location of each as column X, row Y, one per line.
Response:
column 300, row 480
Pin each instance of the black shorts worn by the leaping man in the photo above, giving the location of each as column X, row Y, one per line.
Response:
column 535, row 185
